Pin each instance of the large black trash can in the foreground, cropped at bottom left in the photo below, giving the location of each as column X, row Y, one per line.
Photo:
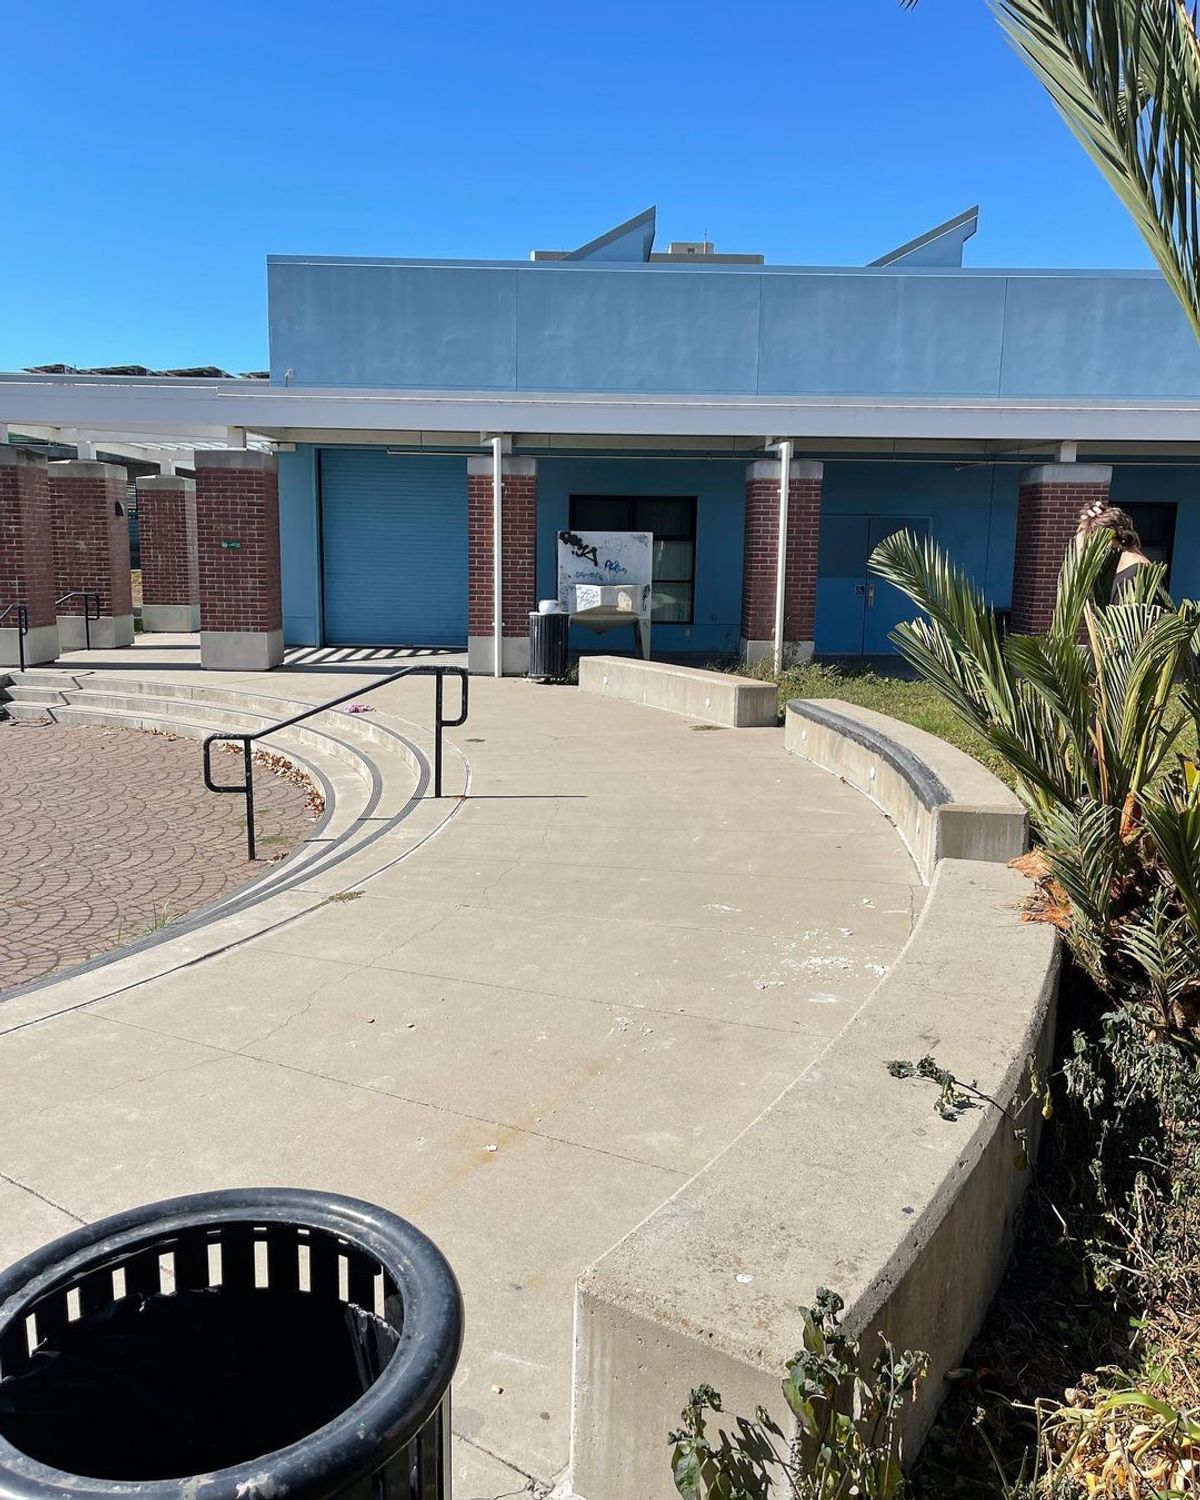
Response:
column 230, row 1346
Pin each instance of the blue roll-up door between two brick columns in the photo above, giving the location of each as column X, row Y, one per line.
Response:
column 394, row 533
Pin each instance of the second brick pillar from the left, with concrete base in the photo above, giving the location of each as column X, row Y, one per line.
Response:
column 92, row 553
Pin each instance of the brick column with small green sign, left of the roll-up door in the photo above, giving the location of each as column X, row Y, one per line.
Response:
column 238, row 545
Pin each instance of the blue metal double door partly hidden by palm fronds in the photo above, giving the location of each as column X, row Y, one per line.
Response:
column 856, row 608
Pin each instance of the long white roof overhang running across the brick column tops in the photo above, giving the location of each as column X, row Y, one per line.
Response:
column 206, row 410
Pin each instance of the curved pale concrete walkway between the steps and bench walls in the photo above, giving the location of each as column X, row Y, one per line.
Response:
column 523, row 1036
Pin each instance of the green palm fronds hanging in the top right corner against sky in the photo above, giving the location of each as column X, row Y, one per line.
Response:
column 1126, row 76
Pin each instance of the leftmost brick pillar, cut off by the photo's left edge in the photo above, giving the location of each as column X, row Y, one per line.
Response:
column 26, row 557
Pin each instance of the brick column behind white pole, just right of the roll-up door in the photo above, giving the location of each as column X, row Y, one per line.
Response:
column 518, row 563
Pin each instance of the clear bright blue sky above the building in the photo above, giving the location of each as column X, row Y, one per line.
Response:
column 157, row 152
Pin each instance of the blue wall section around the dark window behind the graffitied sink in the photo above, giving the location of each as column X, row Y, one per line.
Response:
column 721, row 499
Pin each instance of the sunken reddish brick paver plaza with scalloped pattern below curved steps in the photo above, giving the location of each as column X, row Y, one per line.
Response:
column 110, row 835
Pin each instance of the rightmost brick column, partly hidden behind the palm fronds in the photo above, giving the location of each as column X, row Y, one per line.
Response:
column 1048, row 515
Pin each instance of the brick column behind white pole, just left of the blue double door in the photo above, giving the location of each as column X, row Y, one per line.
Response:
column 761, row 559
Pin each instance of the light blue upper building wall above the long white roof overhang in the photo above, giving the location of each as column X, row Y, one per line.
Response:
column 728, row 329
